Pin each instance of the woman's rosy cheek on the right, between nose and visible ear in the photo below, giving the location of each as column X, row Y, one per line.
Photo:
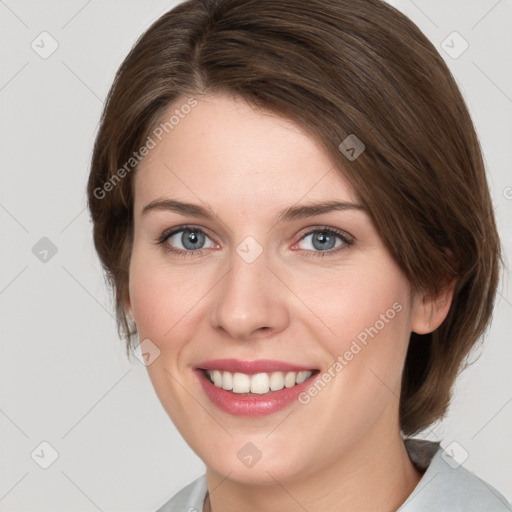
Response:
column 364, row 313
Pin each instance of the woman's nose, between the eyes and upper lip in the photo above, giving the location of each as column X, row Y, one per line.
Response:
column 250, row 300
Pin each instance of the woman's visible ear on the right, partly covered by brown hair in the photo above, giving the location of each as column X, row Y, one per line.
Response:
column 429, row 309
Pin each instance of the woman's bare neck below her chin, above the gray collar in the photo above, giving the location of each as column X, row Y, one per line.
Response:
column 374, row 475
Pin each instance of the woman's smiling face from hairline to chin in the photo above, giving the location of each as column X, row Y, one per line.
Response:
column 318, row 291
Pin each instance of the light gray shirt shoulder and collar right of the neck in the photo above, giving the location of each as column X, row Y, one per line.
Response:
column 447, row 486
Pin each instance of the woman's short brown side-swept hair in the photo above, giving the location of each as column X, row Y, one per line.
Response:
column 335, row 67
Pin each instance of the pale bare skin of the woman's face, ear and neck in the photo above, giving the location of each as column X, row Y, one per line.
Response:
column 343, row 450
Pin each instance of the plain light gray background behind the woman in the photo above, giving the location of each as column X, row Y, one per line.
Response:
column 65, row 379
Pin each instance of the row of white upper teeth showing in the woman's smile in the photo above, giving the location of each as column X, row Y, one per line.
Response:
column 258, row 383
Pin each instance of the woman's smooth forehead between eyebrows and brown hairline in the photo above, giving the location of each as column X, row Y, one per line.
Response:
column 225, row 151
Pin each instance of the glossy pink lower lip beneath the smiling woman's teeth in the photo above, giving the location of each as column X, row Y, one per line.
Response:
column 240, row 404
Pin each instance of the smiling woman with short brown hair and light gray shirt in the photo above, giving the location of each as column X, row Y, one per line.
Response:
column 291, row 206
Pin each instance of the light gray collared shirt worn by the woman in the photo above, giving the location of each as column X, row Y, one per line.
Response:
column 446, row 486
